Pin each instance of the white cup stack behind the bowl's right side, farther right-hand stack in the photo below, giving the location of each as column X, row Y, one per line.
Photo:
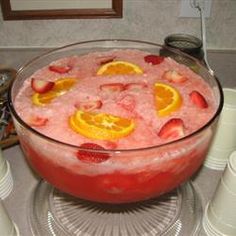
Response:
column 224, row 141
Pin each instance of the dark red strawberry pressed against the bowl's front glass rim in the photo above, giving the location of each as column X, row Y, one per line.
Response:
column 91, row 156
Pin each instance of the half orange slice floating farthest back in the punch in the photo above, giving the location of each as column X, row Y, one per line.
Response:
column 119, row 68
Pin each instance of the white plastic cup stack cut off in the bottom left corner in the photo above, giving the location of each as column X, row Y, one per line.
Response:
column 7, row 226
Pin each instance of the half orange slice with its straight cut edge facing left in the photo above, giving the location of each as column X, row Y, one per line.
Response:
column 167, row 99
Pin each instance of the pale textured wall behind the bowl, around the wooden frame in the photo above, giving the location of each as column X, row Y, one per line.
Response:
column 150, row 20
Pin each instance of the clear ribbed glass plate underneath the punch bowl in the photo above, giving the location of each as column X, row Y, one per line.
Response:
column 52, row 212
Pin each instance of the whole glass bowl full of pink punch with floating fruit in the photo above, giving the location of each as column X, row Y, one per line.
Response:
column 112, row 121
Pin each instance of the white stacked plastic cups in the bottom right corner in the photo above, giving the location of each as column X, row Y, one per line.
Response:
column 220, row 213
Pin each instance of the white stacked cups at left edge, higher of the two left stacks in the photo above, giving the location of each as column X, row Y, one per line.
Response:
column 6, row 180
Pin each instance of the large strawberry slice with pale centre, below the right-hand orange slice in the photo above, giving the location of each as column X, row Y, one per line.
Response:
column 172, row 129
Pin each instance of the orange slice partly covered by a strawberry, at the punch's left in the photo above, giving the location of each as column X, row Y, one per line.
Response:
column 61, row 86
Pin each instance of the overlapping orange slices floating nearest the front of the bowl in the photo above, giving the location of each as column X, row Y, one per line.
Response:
column 100, row 126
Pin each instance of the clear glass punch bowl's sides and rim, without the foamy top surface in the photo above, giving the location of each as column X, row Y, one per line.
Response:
column 115, row 182
